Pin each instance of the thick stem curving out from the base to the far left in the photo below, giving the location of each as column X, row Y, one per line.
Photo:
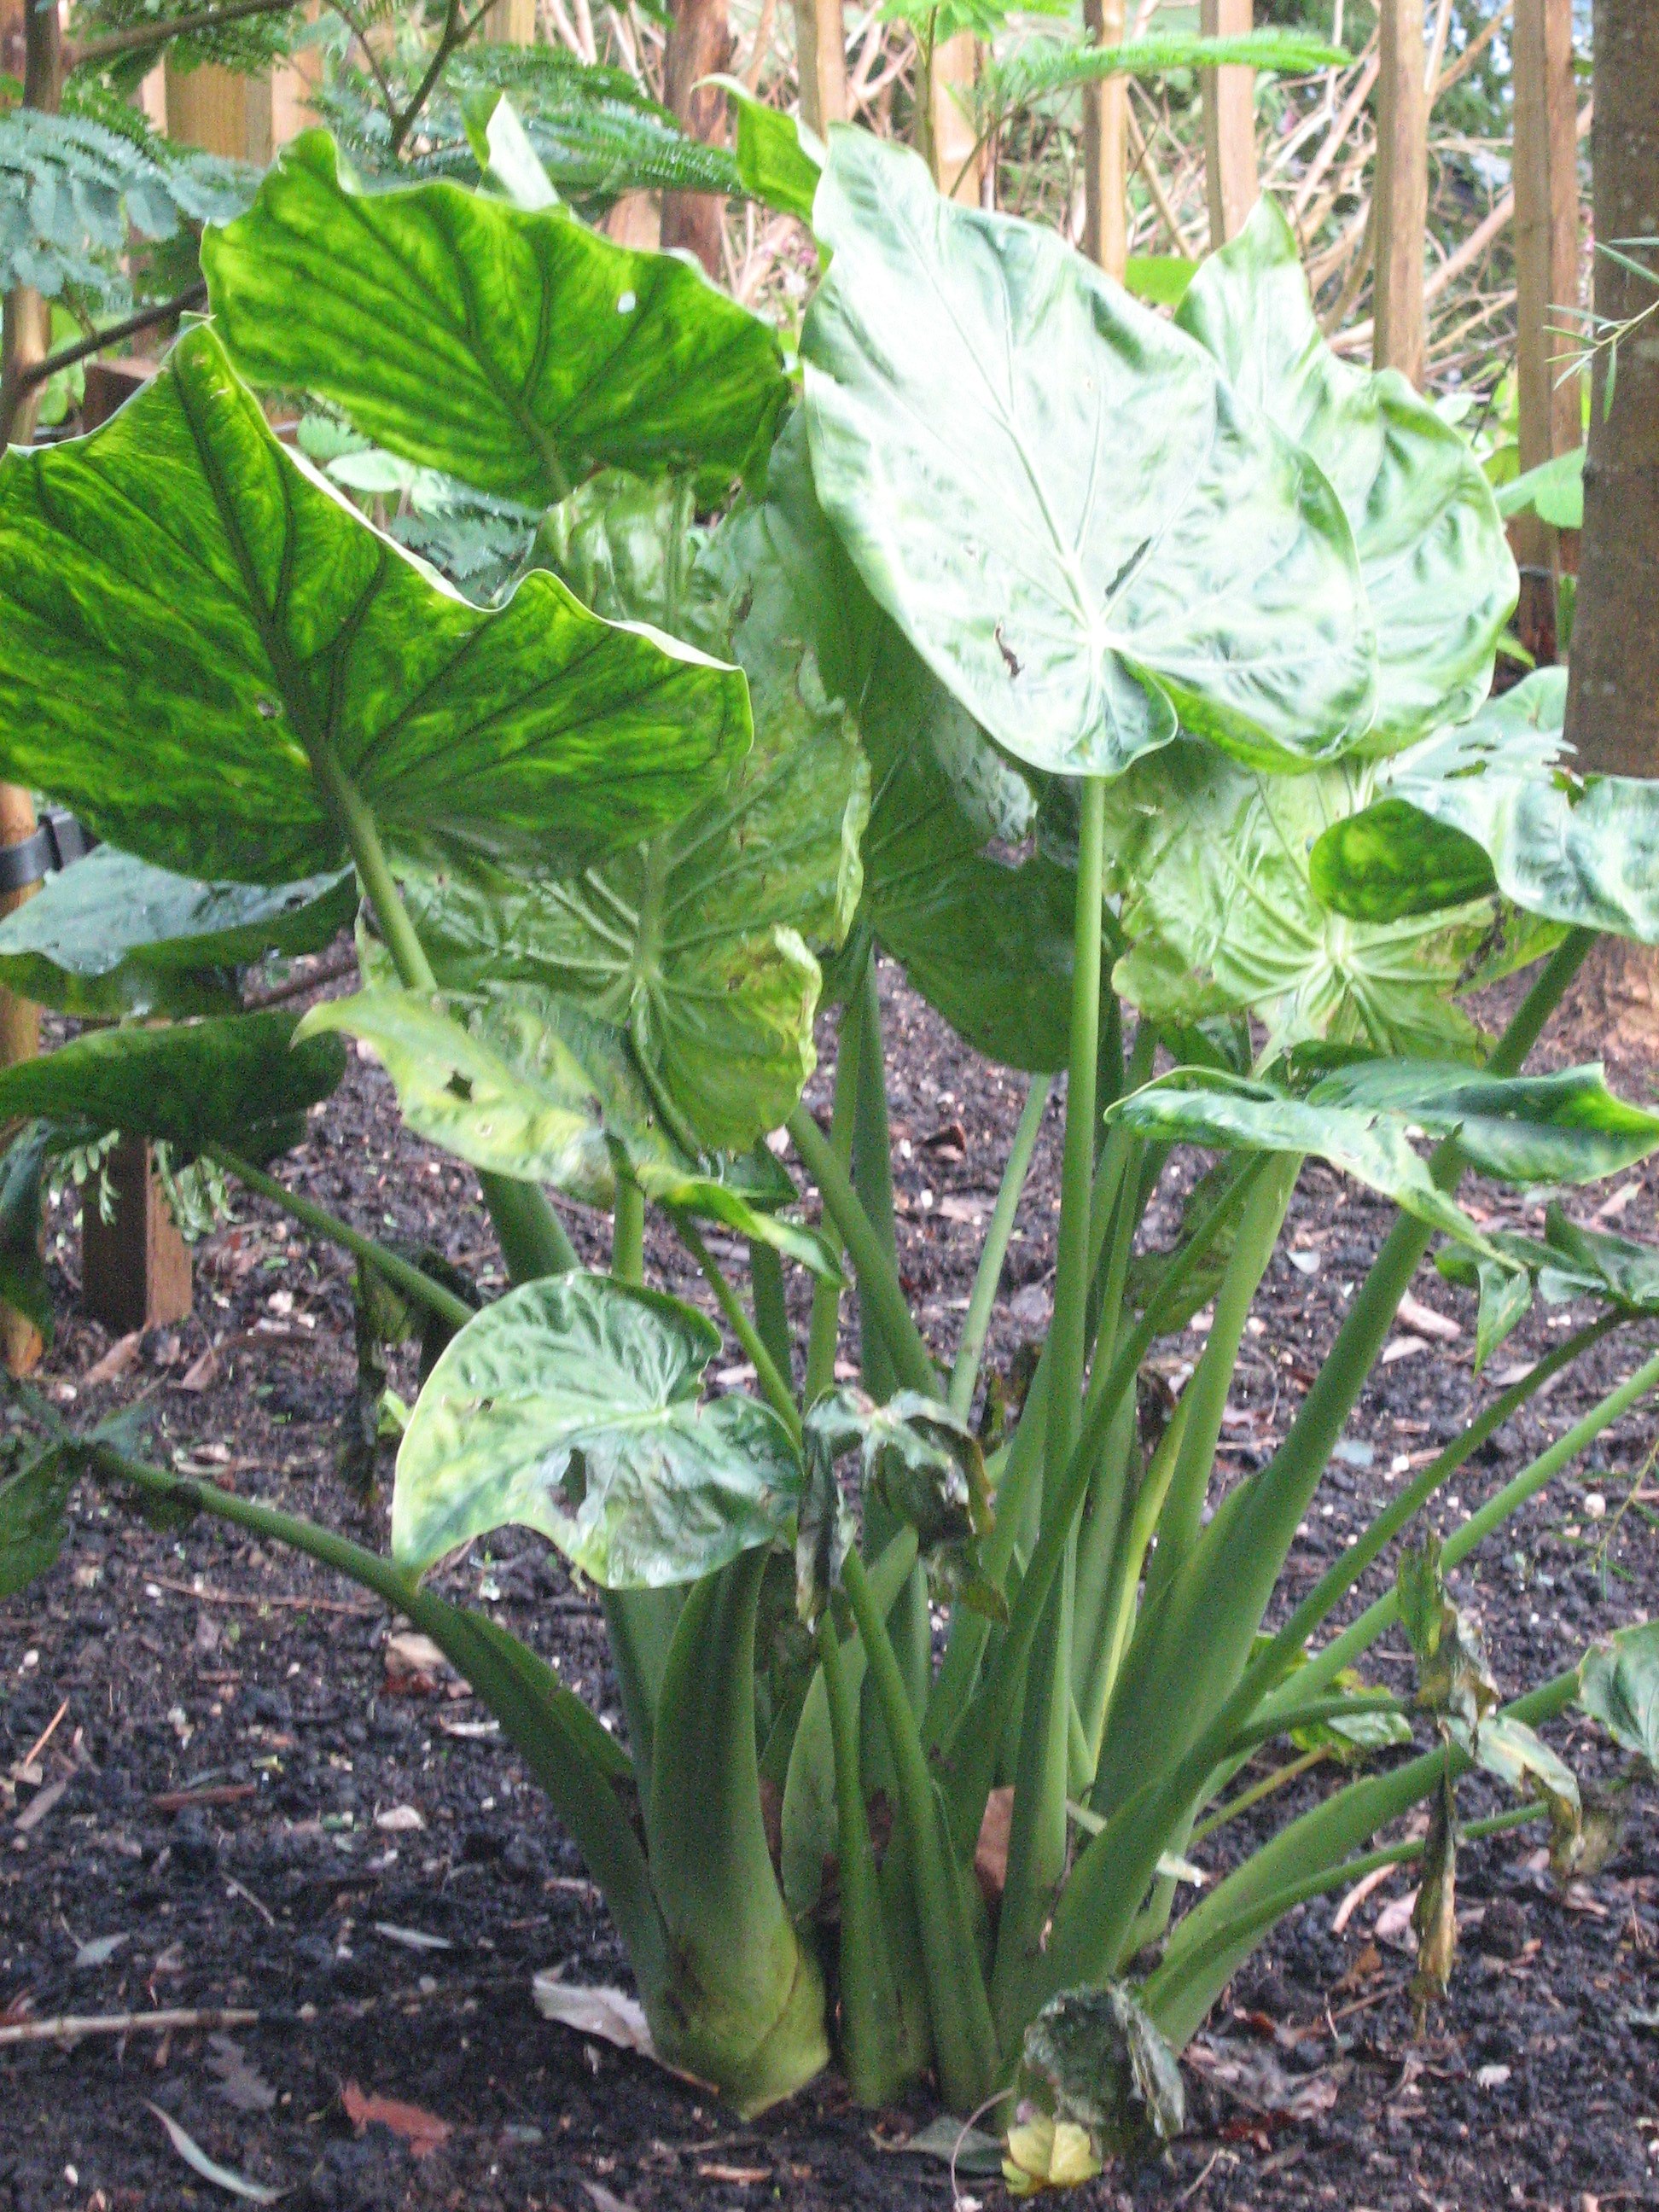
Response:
column 510, row 1678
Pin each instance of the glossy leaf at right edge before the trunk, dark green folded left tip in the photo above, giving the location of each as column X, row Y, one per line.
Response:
column 1496, row 802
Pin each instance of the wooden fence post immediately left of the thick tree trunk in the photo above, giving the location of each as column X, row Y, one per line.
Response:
column 1547, row 280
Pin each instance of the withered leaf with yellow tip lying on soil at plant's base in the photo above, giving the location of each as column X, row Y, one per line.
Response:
column 1094, row 2065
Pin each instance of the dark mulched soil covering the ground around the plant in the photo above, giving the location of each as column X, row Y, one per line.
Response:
column 255, row 1687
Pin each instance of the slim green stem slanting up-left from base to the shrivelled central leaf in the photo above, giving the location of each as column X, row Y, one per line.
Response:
column 963, row 2034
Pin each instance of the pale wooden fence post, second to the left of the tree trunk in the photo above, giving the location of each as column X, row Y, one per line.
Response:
column 1401, row 191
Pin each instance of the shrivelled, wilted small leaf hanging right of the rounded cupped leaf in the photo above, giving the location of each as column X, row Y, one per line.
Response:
column 926, row 1468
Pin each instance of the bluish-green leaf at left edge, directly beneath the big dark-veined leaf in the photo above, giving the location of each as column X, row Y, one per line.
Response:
column 114, row 937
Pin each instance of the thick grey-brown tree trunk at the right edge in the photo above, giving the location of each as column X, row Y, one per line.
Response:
column 1614, row 687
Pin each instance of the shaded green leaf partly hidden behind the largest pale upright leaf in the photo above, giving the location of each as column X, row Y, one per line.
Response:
column 985, row 939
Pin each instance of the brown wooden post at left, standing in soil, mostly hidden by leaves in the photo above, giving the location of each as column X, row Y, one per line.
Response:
column 136, row 1269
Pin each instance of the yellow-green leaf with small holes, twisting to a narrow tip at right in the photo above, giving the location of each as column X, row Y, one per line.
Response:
column 523, row 1083
